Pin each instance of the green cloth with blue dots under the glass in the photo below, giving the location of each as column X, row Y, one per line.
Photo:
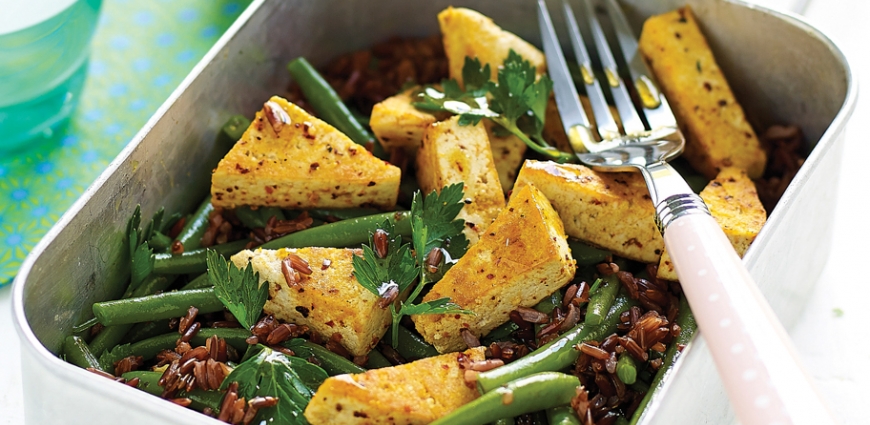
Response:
column 141, row 51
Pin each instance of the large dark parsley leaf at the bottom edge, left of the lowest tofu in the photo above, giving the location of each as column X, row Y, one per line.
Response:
column 269, row 373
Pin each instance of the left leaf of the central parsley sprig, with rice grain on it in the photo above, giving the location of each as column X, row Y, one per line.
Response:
column 396, row 268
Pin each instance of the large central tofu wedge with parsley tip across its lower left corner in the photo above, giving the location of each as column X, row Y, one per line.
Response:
column 522, row 258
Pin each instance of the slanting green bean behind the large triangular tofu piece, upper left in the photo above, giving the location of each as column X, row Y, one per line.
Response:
column 327, row 103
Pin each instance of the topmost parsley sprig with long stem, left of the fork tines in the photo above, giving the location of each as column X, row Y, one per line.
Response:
column 518, row 102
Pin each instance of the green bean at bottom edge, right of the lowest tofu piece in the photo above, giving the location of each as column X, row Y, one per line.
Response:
column 524, row 395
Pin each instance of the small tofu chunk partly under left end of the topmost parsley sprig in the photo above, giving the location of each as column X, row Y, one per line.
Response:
column 399, row 125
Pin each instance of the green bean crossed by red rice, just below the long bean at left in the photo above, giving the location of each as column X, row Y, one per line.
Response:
column 148, row 348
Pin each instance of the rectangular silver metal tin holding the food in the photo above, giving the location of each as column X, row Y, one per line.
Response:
column 791, row 74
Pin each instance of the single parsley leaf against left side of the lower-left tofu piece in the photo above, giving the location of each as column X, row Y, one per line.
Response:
column 239, row 290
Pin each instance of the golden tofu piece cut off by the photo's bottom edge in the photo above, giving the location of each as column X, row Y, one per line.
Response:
column 416, row 393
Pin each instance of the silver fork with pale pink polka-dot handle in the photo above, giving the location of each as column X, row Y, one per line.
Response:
column 761, row 372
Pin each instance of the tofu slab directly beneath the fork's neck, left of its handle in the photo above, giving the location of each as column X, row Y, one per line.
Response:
column 610, row 210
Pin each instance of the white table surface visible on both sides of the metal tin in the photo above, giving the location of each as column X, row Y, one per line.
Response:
column 830, row 336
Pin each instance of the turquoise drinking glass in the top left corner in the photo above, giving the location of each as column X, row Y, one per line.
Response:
column 43, row 62
